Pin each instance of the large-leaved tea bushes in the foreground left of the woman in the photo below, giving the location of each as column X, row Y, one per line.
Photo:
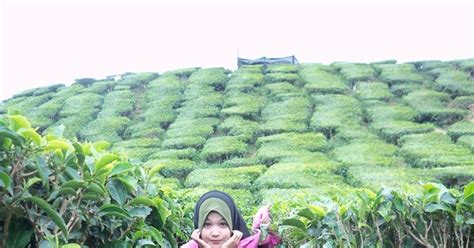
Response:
column 56, row 191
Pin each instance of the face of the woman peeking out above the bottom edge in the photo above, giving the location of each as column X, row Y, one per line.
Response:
column 215, row 230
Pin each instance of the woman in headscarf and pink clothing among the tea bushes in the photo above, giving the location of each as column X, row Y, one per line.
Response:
column 219, row 224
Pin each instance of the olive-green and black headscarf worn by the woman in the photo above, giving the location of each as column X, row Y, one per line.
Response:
column 235, row 221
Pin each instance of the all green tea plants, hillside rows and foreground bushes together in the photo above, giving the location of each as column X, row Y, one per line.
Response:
column 349, row 155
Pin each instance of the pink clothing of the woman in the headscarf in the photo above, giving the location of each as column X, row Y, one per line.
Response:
column 262, row 216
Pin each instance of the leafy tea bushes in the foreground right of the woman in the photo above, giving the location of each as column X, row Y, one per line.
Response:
column 435, row 217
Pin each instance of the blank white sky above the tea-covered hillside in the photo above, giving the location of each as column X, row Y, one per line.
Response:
column 49, row 42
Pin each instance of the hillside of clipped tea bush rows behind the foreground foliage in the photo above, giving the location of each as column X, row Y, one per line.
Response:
column 267, row 134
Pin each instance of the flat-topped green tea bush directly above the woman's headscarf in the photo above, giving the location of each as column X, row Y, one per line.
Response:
column 234, row 178
